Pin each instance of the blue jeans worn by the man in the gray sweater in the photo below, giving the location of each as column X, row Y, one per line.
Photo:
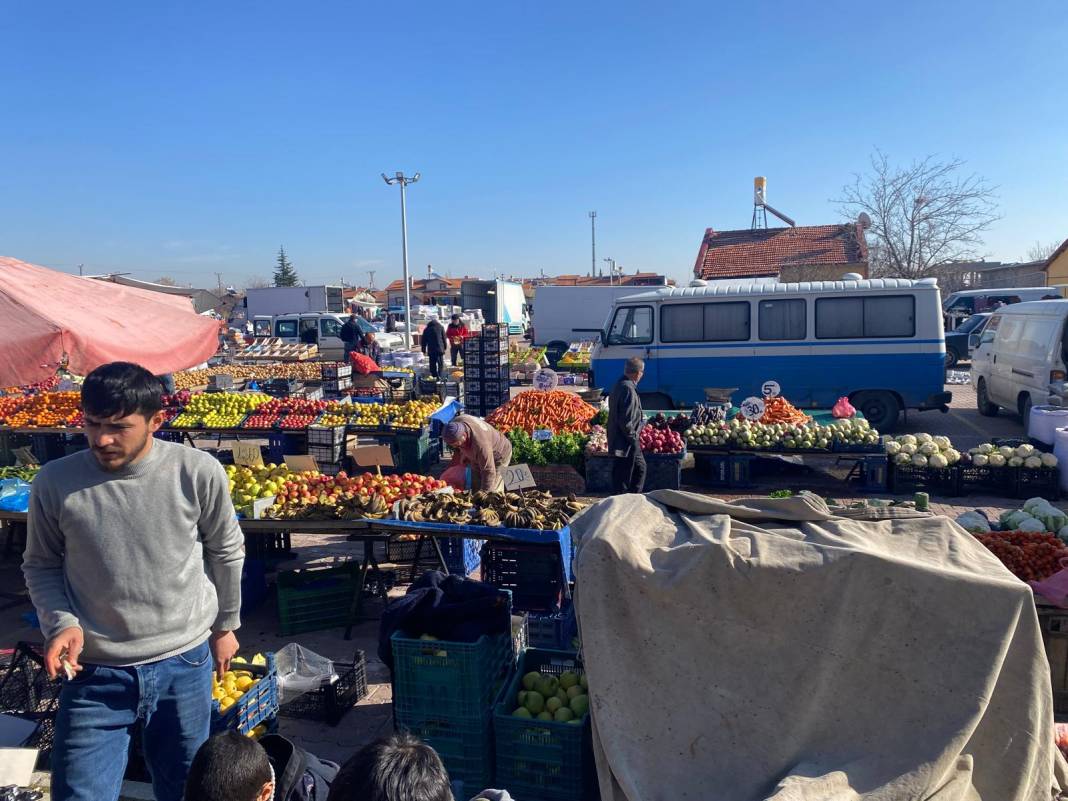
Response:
column 172, row 701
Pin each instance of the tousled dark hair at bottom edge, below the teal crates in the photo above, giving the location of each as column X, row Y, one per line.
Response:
column 395, row 768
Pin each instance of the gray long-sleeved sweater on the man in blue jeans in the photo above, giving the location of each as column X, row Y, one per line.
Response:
column 147, row 560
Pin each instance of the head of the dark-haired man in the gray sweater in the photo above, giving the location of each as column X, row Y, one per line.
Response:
column 122, row 404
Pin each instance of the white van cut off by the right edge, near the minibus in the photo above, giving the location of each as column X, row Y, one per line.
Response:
column 1020, row 360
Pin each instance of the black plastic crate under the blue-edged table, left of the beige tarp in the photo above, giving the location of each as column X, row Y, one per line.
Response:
column 533, row 574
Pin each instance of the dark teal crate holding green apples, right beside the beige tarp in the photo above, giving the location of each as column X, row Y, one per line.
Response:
column 542, row 761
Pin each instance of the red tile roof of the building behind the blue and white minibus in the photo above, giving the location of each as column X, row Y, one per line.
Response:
column 758, row 253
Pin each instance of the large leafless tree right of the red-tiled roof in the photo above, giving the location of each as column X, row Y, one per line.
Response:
column 923, row 216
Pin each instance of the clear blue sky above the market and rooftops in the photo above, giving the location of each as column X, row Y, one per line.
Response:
column 186, row 139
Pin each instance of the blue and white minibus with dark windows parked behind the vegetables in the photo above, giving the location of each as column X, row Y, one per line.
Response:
column 878, row 342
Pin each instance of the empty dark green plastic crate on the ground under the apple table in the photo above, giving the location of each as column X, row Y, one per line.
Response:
column 316, row 599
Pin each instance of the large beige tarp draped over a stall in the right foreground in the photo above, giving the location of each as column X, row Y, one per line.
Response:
column 766, row 650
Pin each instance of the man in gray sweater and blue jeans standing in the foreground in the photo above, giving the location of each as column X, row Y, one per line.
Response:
column 134, row 562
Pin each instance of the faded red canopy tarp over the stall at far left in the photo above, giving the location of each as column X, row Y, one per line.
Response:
column 45, row 315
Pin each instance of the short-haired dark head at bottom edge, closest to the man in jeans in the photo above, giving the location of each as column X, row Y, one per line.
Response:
column 230, row 767
